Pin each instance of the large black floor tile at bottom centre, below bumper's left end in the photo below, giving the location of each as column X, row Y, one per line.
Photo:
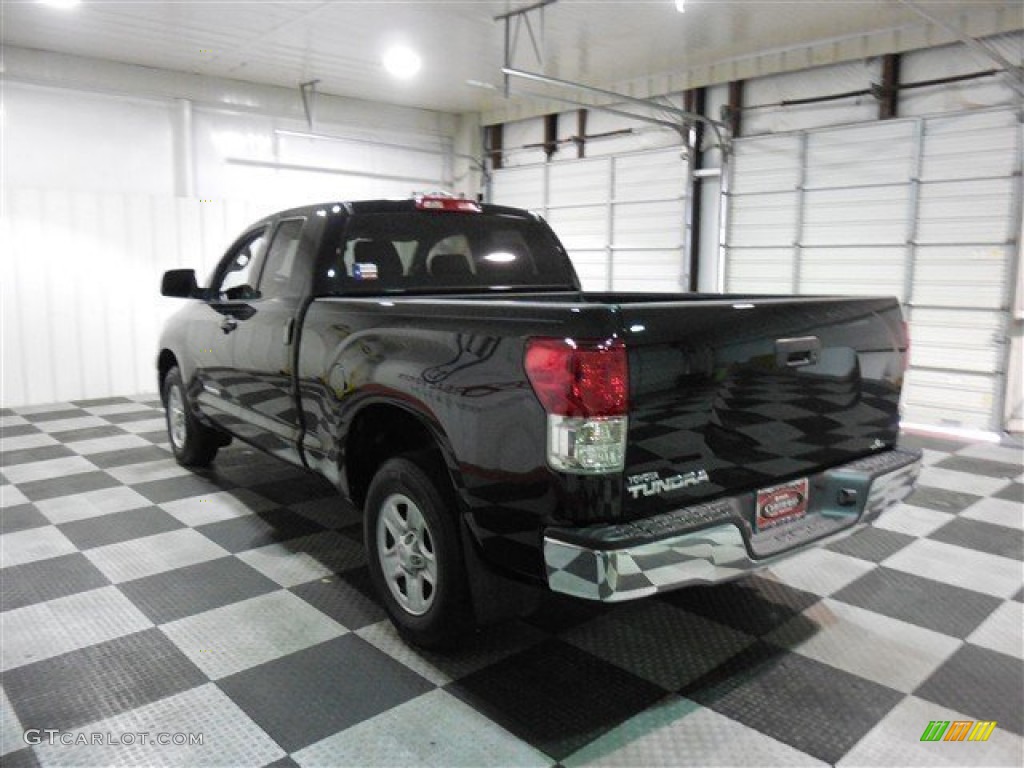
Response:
column 556, row 697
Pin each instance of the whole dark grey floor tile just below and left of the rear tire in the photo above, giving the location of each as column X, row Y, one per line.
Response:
column 307, row 697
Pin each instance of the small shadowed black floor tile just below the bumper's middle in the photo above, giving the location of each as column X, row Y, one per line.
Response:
column 754, row 606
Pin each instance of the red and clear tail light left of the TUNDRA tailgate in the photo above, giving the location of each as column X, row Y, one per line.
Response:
column 584, row 388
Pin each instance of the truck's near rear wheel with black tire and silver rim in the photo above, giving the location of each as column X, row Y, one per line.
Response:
column 415, row 556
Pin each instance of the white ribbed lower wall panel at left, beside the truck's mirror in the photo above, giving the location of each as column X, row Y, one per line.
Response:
column 81, row 306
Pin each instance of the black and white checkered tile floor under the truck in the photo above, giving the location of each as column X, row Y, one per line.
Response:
column 143, row 599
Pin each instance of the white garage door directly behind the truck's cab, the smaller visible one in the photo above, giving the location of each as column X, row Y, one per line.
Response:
column 622, row 219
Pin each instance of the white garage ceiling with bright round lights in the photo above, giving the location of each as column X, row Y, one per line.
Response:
column 602, row 42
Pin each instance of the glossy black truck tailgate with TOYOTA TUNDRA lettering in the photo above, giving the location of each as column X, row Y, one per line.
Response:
column 738, row 395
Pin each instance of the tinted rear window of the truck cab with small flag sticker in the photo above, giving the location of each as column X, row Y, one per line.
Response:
column 420, row 252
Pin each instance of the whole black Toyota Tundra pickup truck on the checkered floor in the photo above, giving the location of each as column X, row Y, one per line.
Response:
column 503, row 431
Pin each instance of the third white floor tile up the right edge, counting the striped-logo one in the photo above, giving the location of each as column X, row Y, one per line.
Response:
column 962, row 568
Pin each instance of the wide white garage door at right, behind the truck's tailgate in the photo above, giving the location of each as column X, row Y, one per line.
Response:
column 925, row 209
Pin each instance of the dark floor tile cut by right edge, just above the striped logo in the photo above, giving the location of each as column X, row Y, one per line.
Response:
column 983, row 685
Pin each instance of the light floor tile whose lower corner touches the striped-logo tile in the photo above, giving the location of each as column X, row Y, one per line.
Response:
column 890, row 653
